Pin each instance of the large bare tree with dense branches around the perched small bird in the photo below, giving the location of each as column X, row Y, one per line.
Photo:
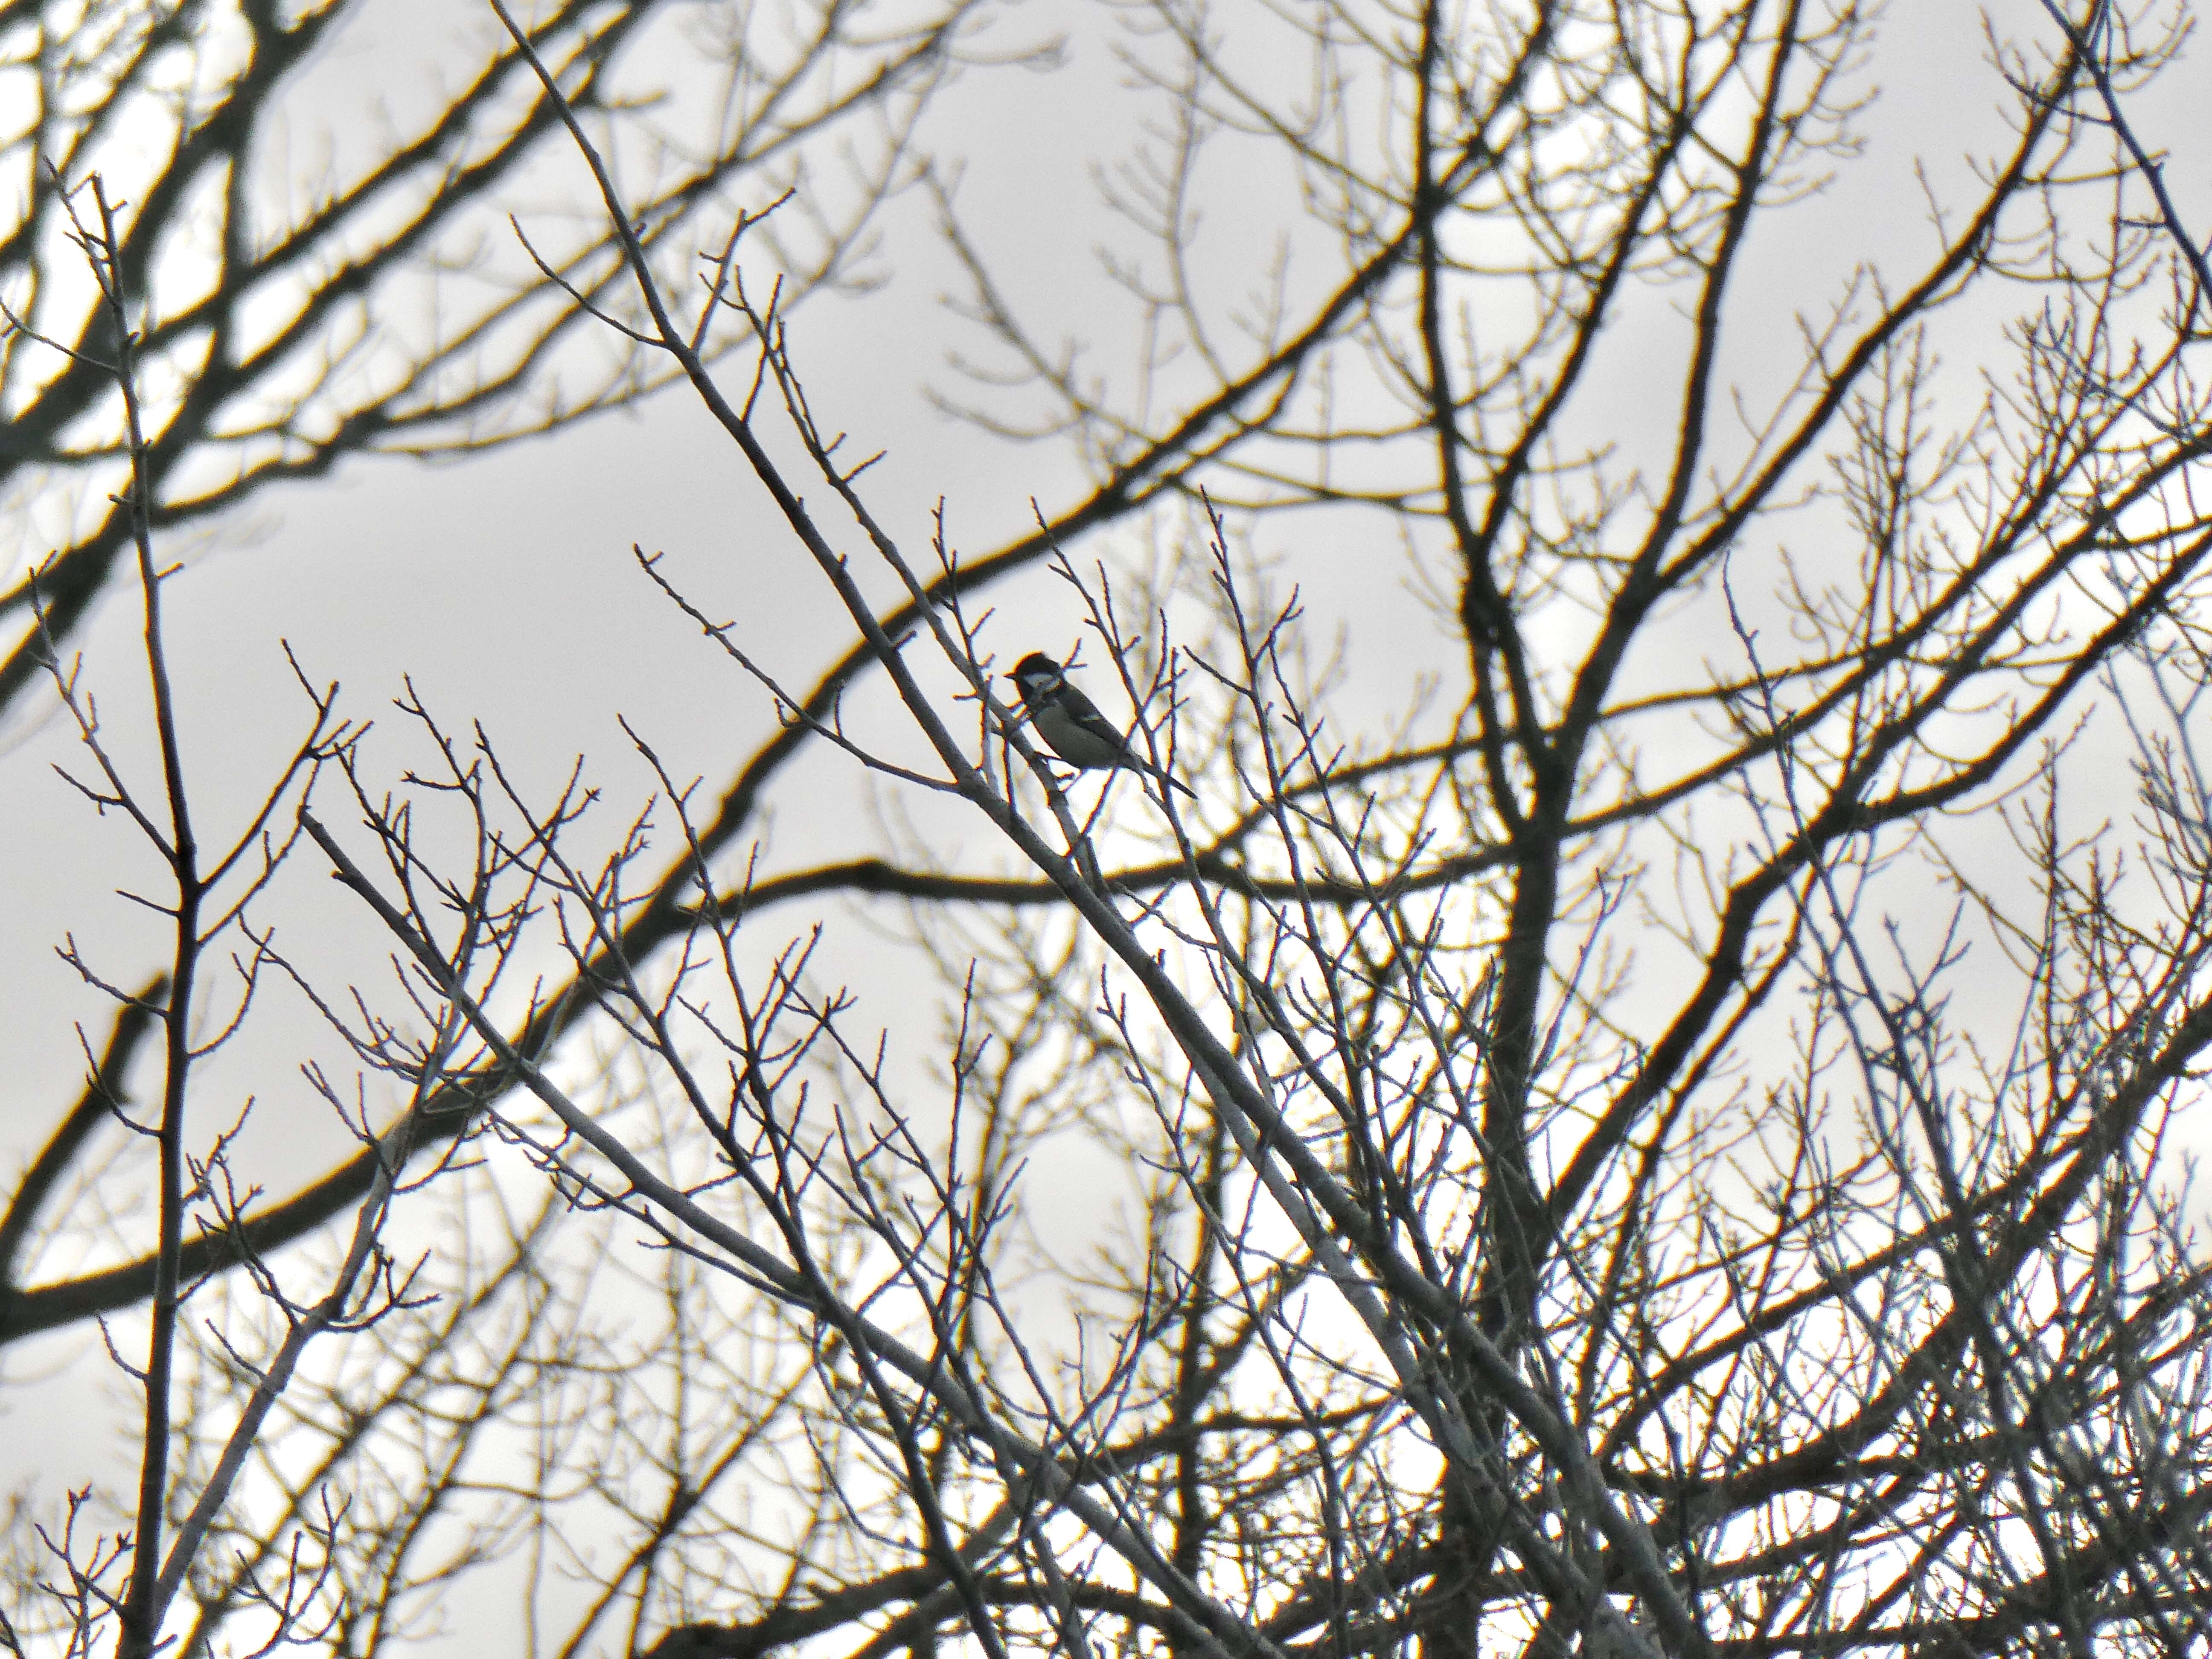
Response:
column 1680, row 1158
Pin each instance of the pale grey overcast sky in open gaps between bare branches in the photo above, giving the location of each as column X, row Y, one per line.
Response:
column 508, row 592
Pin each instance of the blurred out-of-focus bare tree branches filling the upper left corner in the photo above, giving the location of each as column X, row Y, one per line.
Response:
column 371, row 300
